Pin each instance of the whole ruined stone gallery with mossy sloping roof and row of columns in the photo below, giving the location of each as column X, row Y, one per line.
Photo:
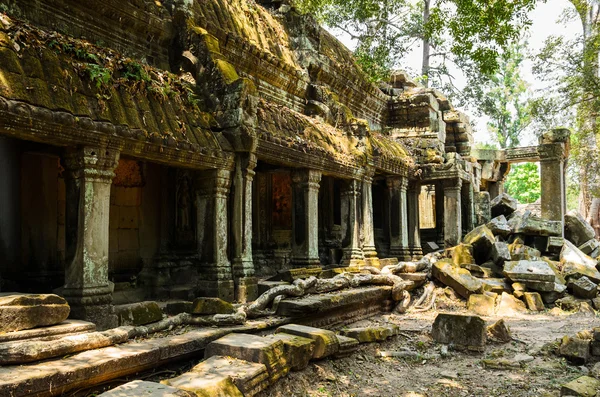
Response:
column 172, row 151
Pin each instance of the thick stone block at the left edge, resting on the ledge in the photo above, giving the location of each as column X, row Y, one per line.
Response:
column 26, row 311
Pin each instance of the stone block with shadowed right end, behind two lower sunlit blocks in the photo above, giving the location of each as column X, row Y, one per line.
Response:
column 254, row 349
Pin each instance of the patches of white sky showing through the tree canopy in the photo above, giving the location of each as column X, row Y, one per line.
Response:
column 545, row 20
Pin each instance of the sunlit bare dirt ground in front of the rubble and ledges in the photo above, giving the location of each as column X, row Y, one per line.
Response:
column 432, row 372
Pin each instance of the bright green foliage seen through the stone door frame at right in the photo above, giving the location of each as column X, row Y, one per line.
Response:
column 523, row 182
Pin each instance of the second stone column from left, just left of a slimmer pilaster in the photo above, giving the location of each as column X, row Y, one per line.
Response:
column 212, row 234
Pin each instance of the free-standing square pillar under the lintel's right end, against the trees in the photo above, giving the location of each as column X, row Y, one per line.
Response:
column 552, row 175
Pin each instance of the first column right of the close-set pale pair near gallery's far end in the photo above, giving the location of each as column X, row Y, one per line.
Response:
column 398, row 222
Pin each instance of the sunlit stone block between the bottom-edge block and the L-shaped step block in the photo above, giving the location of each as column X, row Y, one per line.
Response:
column 250, row 378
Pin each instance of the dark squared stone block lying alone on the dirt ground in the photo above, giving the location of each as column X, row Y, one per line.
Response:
column 459, row 330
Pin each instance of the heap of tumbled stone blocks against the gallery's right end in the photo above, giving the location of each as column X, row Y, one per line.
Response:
column 519, row 261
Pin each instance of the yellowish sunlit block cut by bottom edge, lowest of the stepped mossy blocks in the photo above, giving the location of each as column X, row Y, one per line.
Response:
column 212, row 385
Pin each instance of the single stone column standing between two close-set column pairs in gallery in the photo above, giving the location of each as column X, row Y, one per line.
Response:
column 305, row 218
